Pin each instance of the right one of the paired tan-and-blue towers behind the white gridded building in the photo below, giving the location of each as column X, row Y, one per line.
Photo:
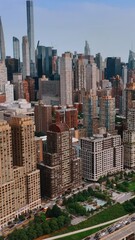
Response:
column 107, row 111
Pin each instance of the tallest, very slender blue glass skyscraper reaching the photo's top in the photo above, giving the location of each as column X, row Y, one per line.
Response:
column 30, row 34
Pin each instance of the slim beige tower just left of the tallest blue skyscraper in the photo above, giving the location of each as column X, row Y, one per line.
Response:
column 25, row 56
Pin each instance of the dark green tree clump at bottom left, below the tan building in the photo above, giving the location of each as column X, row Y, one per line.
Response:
column 41, row 225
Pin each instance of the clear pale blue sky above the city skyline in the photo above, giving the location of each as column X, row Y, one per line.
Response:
column 108, row 25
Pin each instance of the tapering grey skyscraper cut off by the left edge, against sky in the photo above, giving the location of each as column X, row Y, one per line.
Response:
column 2, row 43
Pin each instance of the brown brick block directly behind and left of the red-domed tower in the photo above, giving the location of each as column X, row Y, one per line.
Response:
column 43, row 117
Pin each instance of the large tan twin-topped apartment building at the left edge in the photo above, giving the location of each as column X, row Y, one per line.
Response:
column 19, row 178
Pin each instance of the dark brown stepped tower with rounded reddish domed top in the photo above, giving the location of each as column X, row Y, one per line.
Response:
column 61, row 170
